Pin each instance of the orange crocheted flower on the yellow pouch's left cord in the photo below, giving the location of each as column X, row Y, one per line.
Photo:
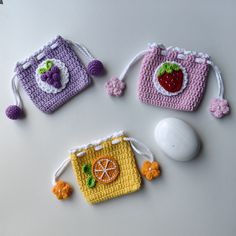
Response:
column 62, row 190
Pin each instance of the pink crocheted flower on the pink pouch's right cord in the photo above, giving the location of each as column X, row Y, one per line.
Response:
column 219, row 107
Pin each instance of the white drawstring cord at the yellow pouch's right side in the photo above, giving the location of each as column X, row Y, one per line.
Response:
column 147, row 153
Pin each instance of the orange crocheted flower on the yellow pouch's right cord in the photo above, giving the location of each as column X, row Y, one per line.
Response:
column 150, row 170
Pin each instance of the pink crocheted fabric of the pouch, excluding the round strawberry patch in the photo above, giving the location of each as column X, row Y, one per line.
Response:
column 190, row 98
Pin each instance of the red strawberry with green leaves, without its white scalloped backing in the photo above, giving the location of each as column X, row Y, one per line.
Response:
column 171, row 77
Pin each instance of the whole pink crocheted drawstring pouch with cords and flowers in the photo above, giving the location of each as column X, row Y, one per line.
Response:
column 173, row 78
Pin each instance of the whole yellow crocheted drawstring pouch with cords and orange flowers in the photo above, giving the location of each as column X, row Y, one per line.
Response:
column 106, row 168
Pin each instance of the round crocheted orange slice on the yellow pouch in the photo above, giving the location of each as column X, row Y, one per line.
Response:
column 105, row 169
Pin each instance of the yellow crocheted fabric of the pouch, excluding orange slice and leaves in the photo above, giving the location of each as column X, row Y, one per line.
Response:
column 128, row 181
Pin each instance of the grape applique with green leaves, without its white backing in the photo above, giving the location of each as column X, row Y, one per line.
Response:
column 50, row 74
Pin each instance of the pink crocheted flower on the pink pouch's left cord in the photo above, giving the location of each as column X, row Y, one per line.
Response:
column 115, row 87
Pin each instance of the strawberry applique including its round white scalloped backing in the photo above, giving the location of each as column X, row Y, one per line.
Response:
column 170, row 78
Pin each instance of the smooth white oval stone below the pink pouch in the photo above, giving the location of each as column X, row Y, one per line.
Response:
column 177, row 139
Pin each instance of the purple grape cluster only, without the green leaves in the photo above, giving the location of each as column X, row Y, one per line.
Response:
column 52, row 77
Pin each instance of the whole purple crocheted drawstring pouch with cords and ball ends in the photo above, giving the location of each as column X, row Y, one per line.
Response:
column 52, row 76
